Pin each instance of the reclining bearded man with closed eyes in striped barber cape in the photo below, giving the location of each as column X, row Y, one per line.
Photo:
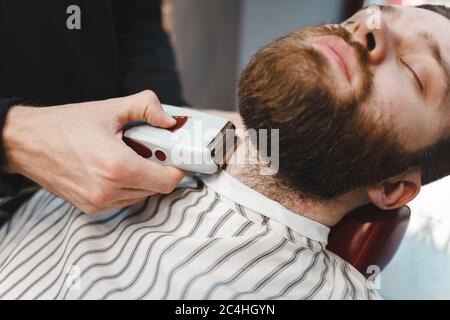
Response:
column 362, row 116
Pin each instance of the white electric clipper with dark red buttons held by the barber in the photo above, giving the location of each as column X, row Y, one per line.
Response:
column 199, row 142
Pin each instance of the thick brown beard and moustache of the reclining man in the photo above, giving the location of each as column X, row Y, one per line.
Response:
column 327, row 146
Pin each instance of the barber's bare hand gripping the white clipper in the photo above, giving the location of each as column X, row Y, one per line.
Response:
column 76, row 151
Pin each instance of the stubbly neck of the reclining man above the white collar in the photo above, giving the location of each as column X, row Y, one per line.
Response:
column 328, row 213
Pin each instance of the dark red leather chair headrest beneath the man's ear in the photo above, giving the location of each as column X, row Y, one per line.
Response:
column 369, row 237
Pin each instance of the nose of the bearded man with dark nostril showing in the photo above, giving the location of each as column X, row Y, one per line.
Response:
column 374, row 37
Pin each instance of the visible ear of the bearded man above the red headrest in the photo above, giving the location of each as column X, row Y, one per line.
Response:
column 396, row 192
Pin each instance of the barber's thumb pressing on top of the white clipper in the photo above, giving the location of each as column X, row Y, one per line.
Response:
column 144, row 106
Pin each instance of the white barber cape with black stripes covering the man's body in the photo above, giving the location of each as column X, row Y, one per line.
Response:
column 192, row 244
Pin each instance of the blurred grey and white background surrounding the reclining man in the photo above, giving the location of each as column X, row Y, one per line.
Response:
column 214, row 39
